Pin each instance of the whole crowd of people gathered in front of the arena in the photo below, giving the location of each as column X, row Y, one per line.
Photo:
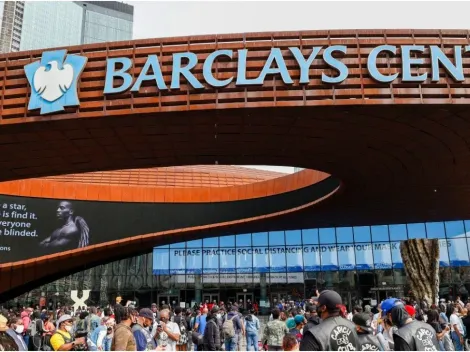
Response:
column 321, row 323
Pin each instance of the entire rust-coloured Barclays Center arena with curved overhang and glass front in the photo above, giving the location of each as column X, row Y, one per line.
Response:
column 129, row 183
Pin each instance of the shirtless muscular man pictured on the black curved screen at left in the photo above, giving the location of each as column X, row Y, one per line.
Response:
column 74, row 232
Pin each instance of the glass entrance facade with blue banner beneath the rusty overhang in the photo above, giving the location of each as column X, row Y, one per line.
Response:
column 362, row 263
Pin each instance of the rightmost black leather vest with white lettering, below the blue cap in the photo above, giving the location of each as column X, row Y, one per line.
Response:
column 419, row 336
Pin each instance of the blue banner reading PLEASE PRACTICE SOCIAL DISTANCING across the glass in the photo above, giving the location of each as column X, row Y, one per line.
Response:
column 296, row 259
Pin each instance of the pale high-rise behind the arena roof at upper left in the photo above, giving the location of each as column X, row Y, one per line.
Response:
column 40, row 24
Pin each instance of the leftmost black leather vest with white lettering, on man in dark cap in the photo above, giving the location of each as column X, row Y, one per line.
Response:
column 336, row 334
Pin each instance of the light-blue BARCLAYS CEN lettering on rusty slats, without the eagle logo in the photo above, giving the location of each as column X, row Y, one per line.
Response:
column 275, row 64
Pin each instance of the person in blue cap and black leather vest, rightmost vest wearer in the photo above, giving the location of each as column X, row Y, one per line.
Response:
column 411, row 335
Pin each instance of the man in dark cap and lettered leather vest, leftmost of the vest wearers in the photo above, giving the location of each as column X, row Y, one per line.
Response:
column 334, row 333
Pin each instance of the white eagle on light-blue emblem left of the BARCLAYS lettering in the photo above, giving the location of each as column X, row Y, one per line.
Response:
column 53, row 81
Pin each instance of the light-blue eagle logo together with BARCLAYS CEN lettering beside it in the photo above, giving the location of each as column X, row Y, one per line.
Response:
column 54, row 78
